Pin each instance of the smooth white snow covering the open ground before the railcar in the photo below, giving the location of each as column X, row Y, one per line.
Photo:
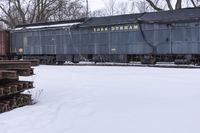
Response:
column 91, row 99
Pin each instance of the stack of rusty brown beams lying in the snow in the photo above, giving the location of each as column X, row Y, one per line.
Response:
column 10, row 86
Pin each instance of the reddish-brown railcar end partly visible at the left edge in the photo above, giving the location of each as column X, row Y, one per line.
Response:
column 4, row 45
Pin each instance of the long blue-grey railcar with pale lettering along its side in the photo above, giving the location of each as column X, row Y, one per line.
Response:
column 147, row 37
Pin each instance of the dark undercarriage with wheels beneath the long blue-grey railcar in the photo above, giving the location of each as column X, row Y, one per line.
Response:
column 115, row 58
